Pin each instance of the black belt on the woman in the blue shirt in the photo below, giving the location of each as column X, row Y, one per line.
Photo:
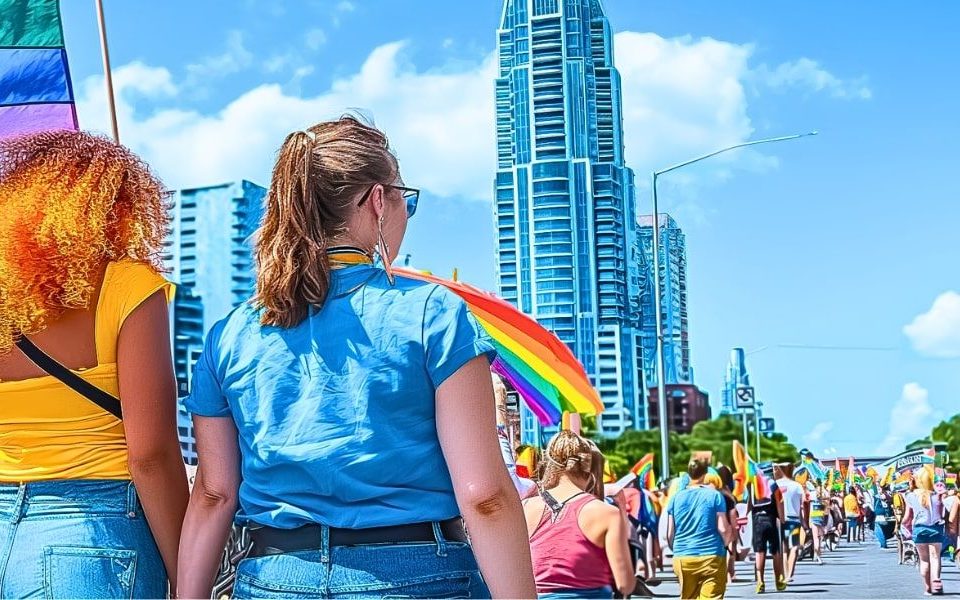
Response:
column 270, row 540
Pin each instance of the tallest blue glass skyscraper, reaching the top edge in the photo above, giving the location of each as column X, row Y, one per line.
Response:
column 565, row 220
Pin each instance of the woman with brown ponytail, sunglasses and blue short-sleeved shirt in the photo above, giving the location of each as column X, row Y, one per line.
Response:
column 346, row 414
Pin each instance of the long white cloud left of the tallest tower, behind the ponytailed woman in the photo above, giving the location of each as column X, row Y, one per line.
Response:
column 440, row 123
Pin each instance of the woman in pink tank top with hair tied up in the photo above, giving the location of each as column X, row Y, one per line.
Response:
column 578, row 542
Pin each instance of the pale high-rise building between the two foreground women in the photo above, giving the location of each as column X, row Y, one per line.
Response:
column 210, row 257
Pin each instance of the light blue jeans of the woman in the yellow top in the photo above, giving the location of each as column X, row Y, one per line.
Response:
column 77, row 539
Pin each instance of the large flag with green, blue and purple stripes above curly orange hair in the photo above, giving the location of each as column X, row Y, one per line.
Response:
column 35, row 89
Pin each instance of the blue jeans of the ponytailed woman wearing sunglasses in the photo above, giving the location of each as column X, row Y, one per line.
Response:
column 438, row 569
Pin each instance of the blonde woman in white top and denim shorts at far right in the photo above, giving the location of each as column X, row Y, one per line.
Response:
column 925, row 510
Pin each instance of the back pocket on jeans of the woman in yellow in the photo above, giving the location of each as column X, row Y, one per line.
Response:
column 77, row 572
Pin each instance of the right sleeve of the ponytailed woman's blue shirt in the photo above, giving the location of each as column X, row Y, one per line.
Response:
column 451, row 336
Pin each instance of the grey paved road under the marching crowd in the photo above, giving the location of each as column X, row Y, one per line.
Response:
column 851, row 571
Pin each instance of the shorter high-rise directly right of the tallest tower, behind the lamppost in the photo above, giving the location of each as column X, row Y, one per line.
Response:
column 673, row 302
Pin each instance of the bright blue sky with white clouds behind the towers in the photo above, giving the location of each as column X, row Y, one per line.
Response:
column 844, row 240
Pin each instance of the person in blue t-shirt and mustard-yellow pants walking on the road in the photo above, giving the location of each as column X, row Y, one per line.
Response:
column 698, row 532
